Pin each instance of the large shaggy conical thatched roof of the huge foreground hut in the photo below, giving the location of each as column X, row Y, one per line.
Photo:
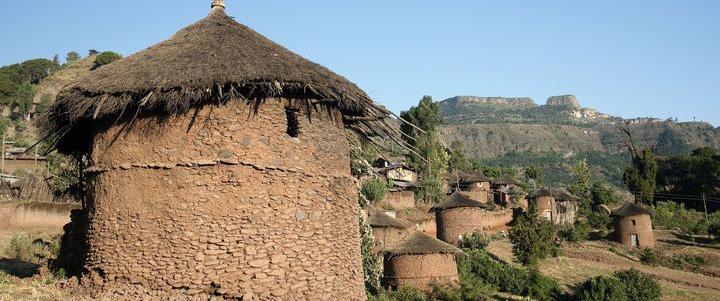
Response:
column 211, row 62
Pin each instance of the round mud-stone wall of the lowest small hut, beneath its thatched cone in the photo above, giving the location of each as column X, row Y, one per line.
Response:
column 419, row 271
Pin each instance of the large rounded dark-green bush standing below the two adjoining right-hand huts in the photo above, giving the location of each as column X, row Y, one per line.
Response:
column 533, row 239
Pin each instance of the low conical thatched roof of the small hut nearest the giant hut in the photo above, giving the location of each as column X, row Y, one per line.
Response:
column 419, row 243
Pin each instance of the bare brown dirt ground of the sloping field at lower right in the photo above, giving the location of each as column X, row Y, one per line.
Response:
column 593, row 258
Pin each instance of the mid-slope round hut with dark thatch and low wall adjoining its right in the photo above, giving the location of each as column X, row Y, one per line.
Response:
column 459, row 215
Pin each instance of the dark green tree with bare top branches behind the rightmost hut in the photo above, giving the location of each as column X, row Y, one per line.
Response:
column 640, row 176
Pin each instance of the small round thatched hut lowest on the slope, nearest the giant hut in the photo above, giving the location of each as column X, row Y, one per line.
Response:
column 419, row 261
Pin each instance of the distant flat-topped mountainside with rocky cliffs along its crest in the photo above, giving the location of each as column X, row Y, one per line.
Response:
column 518, row 132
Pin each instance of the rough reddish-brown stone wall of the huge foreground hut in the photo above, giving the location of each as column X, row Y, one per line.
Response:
column 224, row 202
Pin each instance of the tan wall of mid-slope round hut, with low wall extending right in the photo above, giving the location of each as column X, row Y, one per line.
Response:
column 451, row 223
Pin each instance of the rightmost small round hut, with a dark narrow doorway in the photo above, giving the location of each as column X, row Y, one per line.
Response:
column 633, row 226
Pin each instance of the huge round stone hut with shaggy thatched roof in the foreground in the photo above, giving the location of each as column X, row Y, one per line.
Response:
column 218, row 165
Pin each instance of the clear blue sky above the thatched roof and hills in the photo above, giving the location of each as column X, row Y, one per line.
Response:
column 628, row 58
